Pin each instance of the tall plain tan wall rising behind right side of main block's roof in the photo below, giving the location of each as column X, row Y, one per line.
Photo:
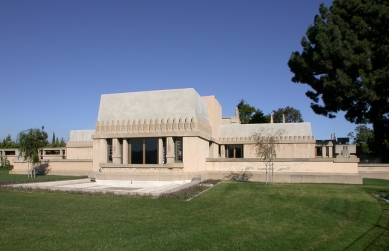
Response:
column 214, row 115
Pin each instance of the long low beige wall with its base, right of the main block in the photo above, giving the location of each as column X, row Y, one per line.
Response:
column 329, row 170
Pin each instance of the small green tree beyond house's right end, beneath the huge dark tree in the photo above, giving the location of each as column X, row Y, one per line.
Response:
column 363, row 138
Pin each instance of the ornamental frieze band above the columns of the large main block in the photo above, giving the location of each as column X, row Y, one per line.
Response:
column 152, row 126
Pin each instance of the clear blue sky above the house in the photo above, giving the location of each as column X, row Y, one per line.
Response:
column 58, row 57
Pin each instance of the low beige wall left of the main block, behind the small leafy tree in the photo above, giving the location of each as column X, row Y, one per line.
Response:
column 76, row 167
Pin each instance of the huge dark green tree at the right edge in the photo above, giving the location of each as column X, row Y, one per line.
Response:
column 345, row 61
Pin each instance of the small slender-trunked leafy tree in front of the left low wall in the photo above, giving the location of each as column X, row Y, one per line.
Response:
column 31, row 141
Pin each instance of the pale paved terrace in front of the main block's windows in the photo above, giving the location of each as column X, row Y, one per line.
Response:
column 153, row 188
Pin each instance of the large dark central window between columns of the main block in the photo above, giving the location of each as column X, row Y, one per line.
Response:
column 143, row 151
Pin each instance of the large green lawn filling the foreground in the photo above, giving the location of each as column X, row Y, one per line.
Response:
column 230, row 216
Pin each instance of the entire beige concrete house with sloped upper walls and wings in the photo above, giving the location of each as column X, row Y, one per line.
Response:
column 173, row 135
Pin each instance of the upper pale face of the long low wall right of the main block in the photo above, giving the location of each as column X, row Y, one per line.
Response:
column 299, row 166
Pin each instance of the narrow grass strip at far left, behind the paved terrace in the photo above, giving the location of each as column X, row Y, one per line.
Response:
column 6, row 178
